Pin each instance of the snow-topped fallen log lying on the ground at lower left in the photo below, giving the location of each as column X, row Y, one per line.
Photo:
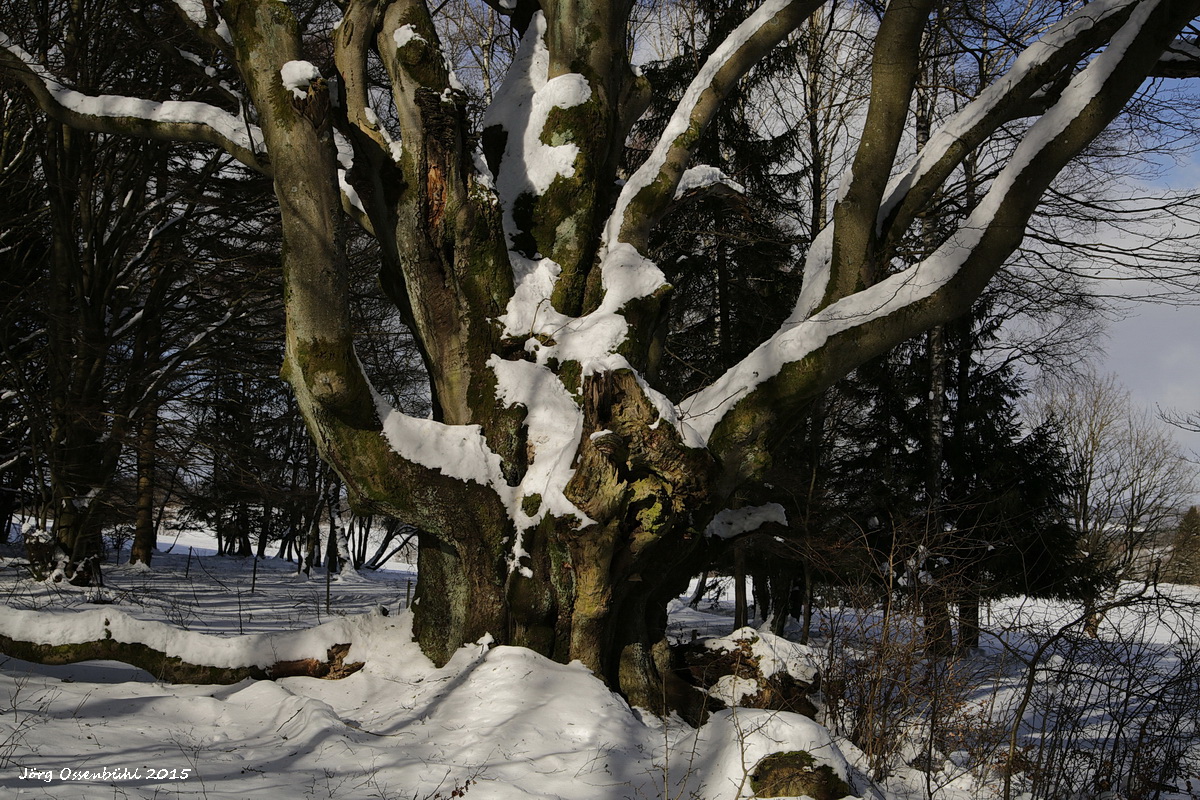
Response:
column 173, row 655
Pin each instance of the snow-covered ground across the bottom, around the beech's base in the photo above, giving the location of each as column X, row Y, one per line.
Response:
column 496, row 723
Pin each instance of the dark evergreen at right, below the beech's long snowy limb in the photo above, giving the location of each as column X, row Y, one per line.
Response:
column 999, row 525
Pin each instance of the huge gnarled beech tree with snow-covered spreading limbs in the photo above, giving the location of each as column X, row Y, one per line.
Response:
column 562, row 498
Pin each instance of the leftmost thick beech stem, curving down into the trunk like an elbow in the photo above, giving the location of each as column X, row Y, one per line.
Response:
column 339, row 405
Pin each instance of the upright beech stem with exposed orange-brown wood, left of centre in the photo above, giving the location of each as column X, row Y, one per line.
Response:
column 453, row 269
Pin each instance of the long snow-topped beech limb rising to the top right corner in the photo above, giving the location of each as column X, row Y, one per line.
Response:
column 770, row 387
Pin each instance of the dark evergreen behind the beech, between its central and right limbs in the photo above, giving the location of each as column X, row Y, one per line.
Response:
column 728, row 244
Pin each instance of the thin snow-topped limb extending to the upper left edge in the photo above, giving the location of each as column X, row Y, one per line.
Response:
column 171, row 121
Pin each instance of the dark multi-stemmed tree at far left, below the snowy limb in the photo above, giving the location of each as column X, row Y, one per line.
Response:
column 97, row 285
